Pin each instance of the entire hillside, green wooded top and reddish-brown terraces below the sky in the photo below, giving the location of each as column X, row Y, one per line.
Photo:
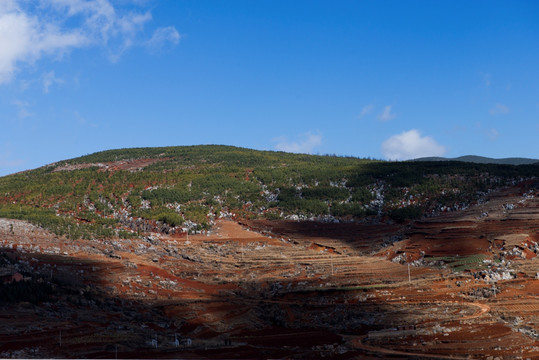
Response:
column 220, row 252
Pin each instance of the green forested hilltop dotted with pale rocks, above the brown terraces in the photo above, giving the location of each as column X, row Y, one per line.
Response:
column 128, row 192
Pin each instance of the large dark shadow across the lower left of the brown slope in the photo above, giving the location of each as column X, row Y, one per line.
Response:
column 81, row 311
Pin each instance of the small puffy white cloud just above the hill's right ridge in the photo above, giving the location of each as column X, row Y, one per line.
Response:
column 410, row 145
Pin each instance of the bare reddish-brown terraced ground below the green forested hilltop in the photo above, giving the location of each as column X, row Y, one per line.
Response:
column 460, row 285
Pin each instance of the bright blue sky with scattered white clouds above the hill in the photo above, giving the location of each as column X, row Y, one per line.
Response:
column 381, row 79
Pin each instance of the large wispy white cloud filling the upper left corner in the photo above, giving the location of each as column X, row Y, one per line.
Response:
column 32, row 30
